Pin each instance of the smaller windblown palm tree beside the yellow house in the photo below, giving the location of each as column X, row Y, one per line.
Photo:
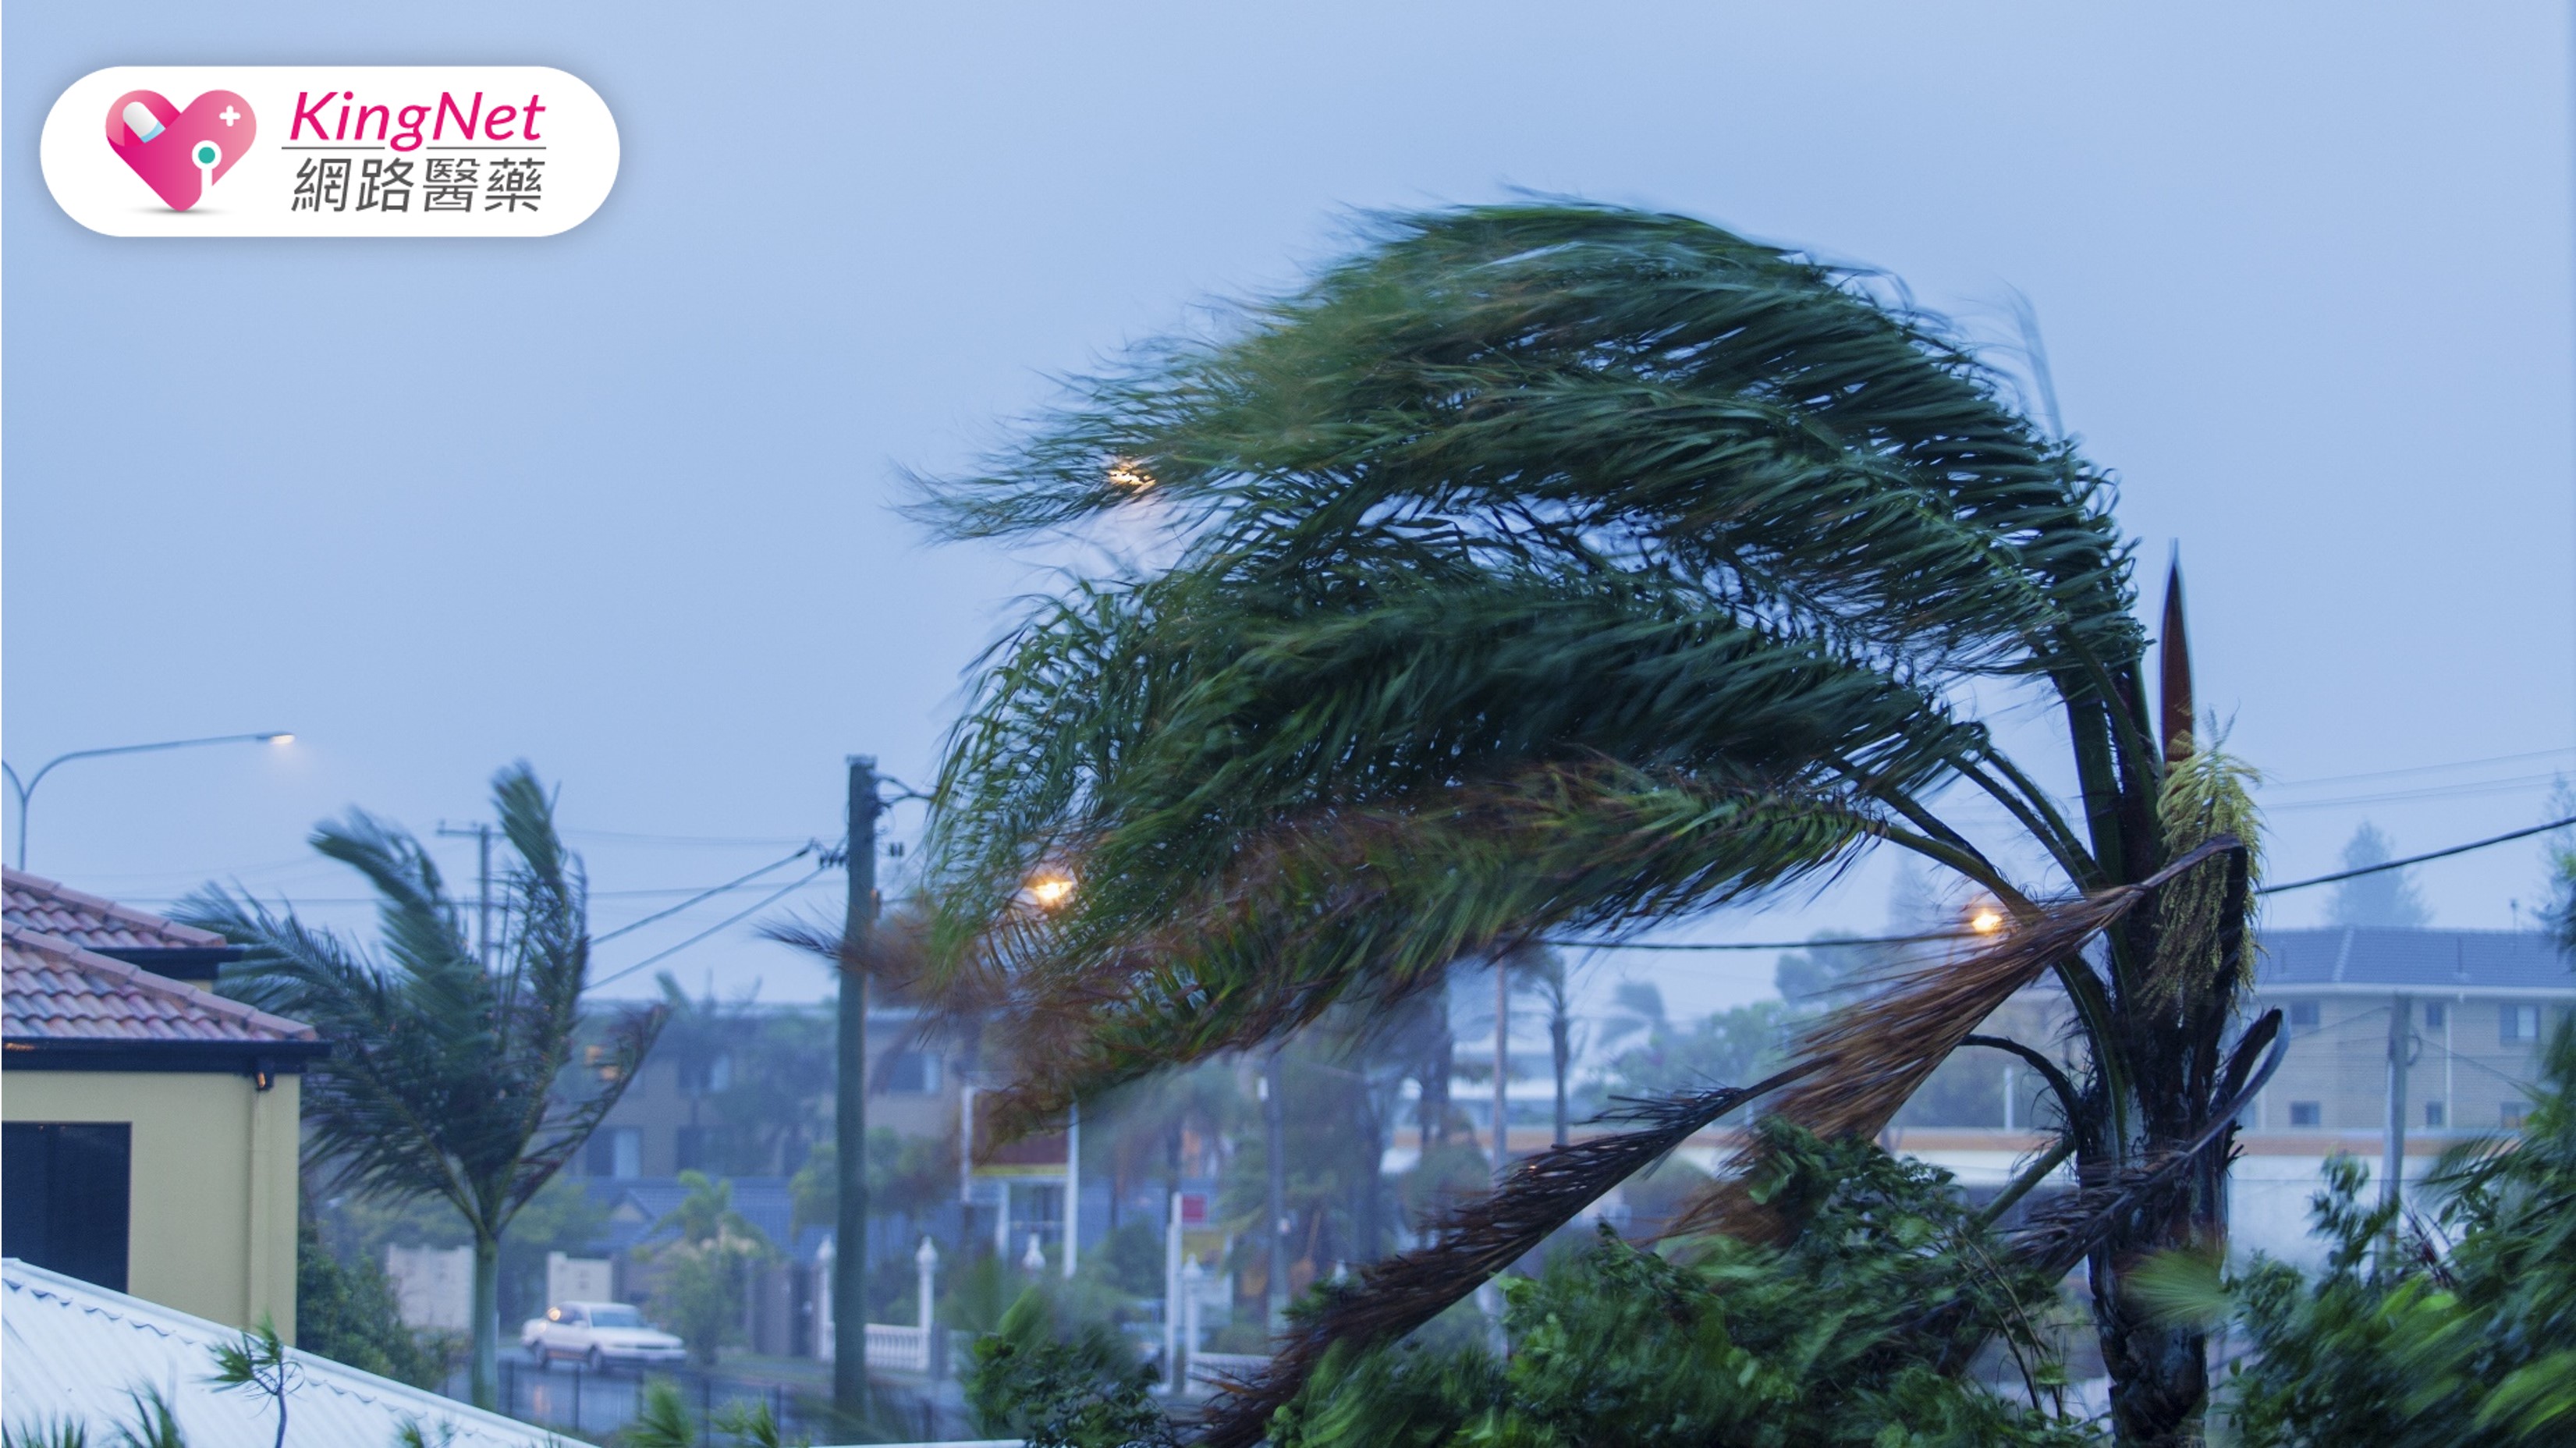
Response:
column 447, row 1081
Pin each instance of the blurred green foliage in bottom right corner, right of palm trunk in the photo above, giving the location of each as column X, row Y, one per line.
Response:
column 2407, row 1346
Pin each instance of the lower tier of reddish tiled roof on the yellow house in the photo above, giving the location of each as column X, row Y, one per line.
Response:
column 61, row 993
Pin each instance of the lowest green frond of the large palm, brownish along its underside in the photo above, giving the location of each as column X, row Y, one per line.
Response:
column 1379, row 903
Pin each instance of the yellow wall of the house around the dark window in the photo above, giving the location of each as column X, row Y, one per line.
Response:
column 213, row 1223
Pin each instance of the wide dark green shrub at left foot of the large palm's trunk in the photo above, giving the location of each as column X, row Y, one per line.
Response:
column 1843, row 1338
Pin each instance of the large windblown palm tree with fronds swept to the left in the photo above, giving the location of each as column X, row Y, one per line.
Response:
column 1567, row 571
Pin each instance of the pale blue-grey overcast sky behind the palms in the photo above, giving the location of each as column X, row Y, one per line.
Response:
column 620, row 501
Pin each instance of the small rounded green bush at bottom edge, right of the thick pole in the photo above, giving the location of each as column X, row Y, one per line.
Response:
column 1060, row 1382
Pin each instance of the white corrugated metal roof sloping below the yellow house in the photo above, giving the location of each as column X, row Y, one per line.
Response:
column 73, row 1349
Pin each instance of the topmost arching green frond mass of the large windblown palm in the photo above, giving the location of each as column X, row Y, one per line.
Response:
column 1622, row 385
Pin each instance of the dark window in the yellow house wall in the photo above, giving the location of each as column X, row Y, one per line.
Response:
column 66, row 1194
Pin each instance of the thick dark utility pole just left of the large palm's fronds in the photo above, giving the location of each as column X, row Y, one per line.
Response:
column 851, row 1112
